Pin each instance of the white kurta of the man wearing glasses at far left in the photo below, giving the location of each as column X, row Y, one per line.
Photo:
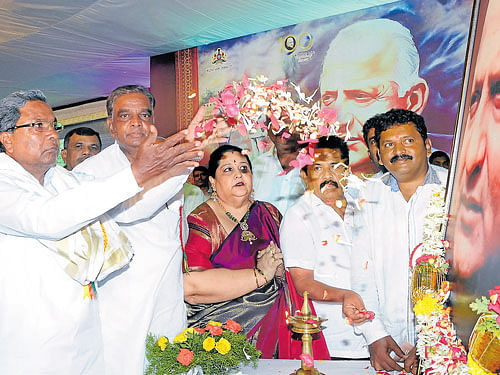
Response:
column 46, row 325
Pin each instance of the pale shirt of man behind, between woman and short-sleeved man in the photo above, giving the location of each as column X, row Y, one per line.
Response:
column 281, row 191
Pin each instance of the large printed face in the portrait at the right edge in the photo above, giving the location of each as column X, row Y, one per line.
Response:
column 476, row 198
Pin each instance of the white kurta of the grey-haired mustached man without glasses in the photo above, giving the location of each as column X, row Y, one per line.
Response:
column 148, row 295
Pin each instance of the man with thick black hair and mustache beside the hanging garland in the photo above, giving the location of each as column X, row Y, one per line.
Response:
column 388, row 230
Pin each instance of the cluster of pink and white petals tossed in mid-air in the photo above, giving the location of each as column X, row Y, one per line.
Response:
column 249, row 104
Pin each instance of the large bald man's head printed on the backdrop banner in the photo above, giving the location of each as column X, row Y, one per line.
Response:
column 370, row 67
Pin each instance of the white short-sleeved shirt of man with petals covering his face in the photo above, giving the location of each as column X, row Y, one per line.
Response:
column 314, row 237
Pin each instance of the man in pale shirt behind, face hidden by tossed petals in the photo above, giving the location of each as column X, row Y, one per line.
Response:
column 274, row 180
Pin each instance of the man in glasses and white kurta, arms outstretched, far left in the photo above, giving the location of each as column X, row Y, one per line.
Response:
column 49, row 321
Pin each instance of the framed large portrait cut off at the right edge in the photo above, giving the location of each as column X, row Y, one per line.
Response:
column 474, row 185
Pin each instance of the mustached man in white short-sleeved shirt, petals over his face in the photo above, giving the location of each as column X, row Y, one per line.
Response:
column 316, row 242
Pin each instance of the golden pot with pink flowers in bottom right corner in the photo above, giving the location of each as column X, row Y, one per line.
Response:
column 484, row 344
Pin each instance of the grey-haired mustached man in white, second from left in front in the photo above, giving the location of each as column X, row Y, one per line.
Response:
column 148, row 296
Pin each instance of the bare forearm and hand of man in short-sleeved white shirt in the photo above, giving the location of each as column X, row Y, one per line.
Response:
column 352, row 304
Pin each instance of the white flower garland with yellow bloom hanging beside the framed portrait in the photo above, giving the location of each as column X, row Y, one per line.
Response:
column 440, row 350
